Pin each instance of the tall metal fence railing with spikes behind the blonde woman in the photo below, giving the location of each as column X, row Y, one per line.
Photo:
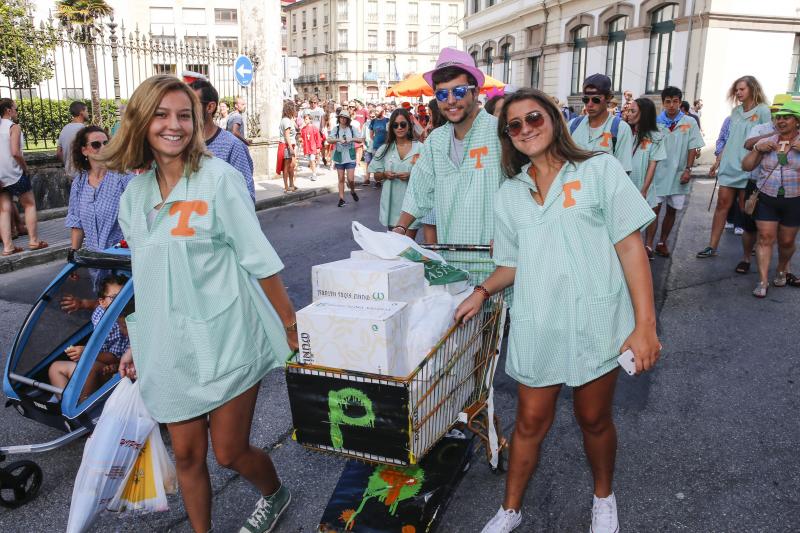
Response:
column 102, row 66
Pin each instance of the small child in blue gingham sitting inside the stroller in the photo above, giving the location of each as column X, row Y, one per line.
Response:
column 114, row 346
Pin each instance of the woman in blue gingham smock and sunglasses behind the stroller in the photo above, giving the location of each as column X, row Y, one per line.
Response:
column 93, row 198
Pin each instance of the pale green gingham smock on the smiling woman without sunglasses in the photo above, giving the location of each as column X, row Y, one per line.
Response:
column 203, row 331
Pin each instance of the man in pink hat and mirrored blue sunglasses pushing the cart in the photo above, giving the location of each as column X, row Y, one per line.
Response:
column 458, row 170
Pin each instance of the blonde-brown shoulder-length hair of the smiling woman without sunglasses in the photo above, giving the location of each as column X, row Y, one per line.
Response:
column 129, row 149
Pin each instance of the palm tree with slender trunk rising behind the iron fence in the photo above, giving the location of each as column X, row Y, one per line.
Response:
column 82, row 19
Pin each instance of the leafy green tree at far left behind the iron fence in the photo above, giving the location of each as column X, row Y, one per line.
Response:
column 25, row 52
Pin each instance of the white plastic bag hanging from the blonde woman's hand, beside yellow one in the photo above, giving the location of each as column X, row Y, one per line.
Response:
column 109, row 454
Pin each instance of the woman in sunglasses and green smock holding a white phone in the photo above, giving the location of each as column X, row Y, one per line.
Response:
column 567, row 236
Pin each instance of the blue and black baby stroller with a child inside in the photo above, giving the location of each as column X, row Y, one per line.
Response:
column 46, row 332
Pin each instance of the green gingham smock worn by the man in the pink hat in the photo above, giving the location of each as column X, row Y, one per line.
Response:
column 463, row 195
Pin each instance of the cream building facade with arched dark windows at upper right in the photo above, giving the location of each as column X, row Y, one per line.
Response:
column 701, row 46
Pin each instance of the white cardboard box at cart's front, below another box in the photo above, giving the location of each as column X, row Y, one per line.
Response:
column 362, row 336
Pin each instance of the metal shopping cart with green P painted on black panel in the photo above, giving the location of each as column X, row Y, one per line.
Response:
column 397, row 420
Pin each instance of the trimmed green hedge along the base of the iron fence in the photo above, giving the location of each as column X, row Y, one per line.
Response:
column 43, row 118
